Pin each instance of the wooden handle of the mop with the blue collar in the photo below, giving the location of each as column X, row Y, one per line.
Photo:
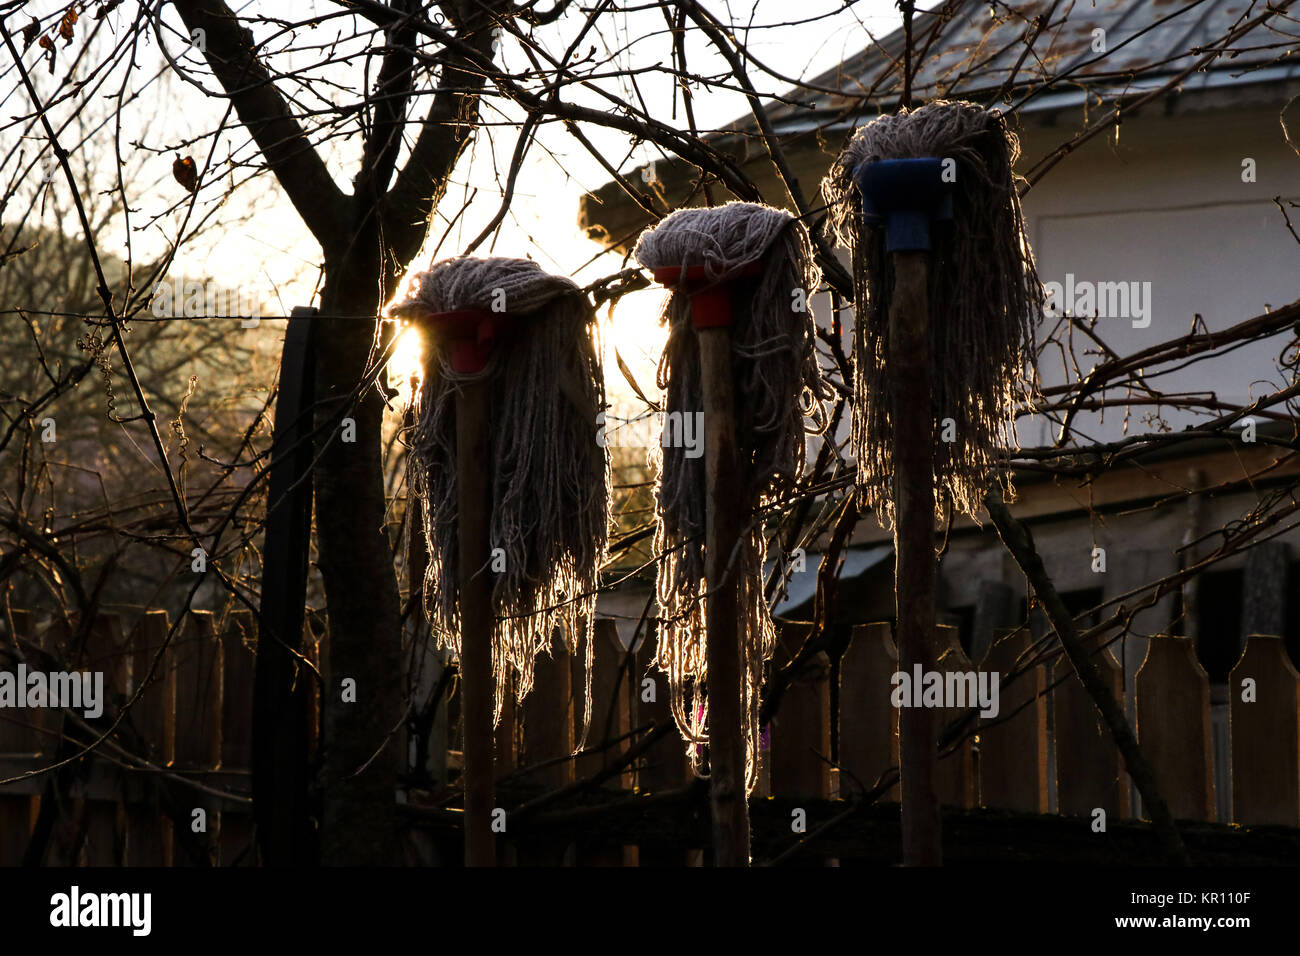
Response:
column 915, row 551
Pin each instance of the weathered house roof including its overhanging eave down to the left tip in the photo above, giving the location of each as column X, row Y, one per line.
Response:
column 970, row 54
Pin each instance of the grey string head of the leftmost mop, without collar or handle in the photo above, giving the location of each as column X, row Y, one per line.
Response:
column 549, row 478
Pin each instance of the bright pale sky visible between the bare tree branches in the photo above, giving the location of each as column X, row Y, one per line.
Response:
column 262, row 249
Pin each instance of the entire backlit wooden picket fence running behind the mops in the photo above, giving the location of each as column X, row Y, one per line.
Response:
column 185, row 746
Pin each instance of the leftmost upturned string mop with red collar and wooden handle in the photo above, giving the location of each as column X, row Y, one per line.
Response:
column 514, row 482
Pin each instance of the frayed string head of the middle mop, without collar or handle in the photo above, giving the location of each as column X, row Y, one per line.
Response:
column 777, row 378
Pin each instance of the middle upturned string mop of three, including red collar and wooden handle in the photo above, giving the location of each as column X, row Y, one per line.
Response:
column 740, row 356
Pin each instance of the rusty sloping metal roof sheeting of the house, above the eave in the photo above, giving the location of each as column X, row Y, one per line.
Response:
column 974, row 54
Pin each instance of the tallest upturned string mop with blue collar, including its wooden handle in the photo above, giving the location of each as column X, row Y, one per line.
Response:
column 947, row 296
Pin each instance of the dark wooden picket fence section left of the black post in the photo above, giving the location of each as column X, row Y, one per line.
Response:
column 171, row 785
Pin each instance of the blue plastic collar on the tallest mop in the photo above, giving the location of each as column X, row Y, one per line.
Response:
column 905, row 196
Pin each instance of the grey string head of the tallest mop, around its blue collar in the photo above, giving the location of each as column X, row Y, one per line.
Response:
column 985, row 299
